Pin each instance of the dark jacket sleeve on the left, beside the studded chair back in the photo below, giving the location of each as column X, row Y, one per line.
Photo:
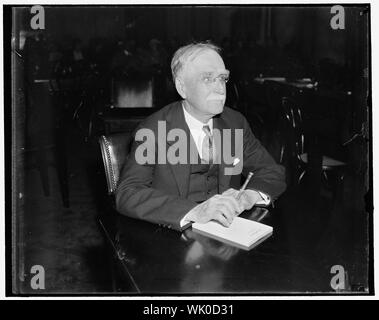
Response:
column 135, row 196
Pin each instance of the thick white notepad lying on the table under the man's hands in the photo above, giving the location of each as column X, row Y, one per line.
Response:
column 242, row 233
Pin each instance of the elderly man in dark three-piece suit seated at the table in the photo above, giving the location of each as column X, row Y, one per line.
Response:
column 176, row 194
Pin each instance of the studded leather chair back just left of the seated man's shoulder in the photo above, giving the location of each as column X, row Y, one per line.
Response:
column 114, row 150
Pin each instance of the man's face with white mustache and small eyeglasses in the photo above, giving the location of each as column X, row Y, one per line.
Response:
column 204, row 84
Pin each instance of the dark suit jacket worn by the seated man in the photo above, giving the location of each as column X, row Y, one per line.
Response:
column 158, row 192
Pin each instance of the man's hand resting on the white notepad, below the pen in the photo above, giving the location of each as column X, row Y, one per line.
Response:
column 222, row 208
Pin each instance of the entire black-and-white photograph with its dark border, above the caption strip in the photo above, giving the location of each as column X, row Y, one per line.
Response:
column 188, row 150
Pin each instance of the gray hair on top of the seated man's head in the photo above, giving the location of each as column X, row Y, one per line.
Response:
column 188, row 53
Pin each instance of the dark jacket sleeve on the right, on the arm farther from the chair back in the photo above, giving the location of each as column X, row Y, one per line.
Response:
column 269, row 177
